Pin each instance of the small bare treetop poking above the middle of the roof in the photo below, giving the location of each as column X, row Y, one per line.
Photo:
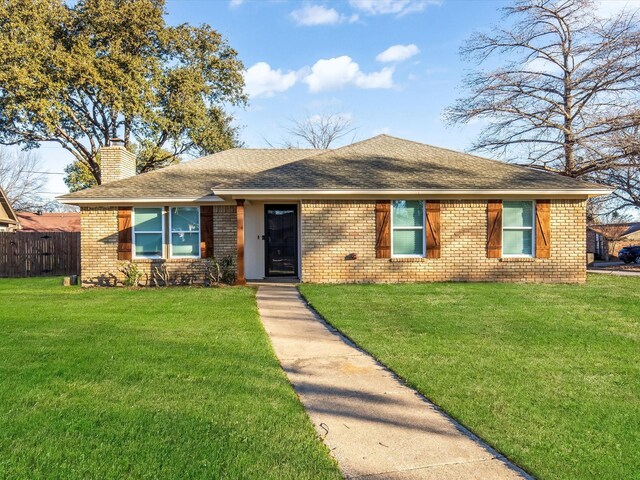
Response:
column 320, row 131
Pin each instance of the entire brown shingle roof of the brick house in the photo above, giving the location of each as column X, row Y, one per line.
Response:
column 379, row 163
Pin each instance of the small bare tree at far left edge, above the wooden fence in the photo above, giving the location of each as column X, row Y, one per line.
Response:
column 21, row 178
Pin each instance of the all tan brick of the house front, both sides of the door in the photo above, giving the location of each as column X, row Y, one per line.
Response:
column 332, row 230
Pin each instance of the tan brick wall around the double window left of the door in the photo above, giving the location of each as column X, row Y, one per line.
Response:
column 99, row 248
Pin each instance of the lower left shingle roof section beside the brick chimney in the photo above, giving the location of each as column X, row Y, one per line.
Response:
column 195, row 178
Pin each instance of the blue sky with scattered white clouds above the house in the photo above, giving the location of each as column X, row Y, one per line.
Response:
column 391, row 66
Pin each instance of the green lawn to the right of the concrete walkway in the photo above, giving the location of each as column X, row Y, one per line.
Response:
column 548, row 374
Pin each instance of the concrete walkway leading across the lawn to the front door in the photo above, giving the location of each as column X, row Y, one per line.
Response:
column 375, row 427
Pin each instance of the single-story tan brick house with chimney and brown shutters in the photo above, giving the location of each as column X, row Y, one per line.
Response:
column 380, row 210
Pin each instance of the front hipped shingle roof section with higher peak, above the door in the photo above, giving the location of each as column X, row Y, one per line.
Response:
column 386, row 163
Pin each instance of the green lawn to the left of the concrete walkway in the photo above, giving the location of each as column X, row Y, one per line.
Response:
column 154, row 383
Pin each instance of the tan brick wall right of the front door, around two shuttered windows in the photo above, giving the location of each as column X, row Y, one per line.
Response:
column 331, row 230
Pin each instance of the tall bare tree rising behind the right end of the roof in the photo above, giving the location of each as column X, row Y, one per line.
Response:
column 569, row 81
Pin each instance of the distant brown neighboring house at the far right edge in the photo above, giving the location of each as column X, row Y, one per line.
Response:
column 605, row 240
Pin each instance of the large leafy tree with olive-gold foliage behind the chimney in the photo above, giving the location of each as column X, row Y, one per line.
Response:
column 84, row 74
